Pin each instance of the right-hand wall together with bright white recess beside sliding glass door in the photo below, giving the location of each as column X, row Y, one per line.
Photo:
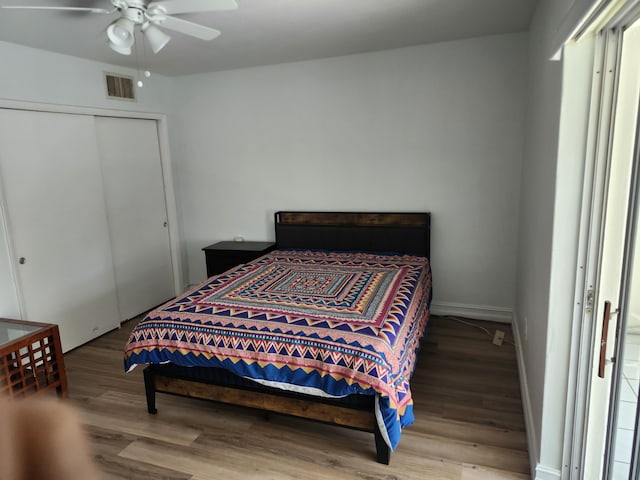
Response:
column 549, row 220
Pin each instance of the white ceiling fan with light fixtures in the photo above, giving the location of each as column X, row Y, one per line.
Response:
column 149, row 15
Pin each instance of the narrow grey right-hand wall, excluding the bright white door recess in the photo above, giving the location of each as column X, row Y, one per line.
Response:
column 536, row 219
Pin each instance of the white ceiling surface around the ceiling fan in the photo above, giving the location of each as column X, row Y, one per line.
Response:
column 262, row 32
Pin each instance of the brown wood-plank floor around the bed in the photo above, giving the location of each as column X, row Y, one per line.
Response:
column 469, row 422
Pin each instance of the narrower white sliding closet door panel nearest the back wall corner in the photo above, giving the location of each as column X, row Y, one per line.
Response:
column 137, row 214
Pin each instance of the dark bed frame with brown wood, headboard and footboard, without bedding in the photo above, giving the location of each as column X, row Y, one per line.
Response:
column 374, row 232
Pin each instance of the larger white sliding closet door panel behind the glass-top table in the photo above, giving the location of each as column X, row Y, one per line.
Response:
column 56, row 217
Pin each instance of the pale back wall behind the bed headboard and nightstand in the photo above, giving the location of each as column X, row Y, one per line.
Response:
column 437, row 128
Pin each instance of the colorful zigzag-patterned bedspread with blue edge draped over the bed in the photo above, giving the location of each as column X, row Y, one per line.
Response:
column 338, row 323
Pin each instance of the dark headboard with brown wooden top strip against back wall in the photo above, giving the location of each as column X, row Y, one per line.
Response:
column 369, row 232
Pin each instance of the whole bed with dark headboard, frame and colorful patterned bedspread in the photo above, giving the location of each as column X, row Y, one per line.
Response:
column 326, row 327
